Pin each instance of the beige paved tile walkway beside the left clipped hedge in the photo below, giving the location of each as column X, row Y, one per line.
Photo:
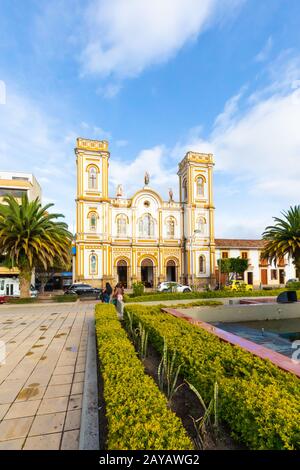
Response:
column 41, row 383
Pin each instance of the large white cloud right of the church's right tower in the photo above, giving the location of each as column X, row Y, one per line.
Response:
column 257, row 153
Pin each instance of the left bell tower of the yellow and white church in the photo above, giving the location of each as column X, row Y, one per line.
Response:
column 91, row 209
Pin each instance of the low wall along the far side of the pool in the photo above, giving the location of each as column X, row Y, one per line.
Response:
column 240, row 313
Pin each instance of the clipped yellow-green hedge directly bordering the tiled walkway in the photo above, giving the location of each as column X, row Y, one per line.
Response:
column 137, row 412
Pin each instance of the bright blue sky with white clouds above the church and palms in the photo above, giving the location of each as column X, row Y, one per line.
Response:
column 157, row 79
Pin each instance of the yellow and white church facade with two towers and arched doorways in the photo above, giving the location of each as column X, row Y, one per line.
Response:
column 147, row 237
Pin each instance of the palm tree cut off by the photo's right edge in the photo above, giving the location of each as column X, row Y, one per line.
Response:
column 283, row 238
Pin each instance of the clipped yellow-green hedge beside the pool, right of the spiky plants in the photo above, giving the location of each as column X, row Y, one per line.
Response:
column 259, row 402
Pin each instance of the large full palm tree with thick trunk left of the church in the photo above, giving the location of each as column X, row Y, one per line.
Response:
column 31, row 237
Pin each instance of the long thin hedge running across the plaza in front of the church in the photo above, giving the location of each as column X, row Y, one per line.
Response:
column 203, row 295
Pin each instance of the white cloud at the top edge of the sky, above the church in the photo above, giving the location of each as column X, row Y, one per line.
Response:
column 124, row 37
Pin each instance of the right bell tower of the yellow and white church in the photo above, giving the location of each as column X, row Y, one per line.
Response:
column 196, row 196
